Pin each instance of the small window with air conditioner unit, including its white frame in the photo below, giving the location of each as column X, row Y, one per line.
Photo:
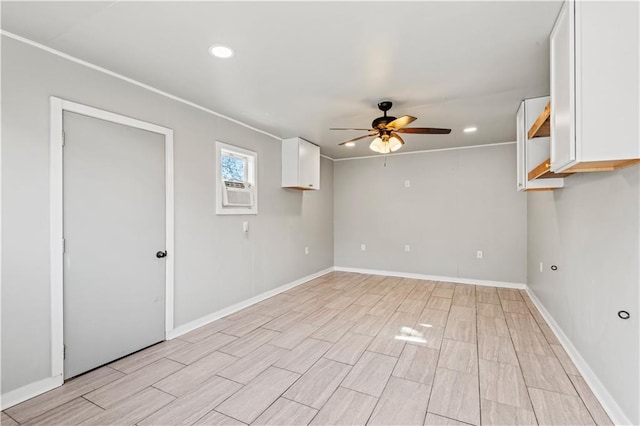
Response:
column 236, row 180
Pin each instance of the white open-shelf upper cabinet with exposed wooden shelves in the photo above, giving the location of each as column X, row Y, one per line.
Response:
column 533, row 151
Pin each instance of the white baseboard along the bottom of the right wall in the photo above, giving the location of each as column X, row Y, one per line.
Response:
column 599, row 390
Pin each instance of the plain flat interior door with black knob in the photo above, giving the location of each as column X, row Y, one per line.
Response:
column 114, row 226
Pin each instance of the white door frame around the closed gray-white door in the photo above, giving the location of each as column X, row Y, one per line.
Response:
column 56, row 139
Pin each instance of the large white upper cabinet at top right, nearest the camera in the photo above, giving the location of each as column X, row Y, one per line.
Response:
column 594, row 86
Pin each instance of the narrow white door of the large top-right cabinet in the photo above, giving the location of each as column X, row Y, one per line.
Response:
column 563, row 141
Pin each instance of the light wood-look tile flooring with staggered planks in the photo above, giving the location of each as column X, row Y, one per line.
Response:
column 342, row 349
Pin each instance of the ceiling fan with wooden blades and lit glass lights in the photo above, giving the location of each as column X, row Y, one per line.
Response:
column 386, row 129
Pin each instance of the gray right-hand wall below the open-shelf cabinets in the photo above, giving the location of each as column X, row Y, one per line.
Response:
column 590, row 230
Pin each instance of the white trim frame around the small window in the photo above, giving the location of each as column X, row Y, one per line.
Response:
column 252, row 178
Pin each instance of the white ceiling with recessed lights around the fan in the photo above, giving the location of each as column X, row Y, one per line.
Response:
column 302, row 67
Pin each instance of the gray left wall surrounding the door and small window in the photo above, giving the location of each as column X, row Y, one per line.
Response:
column 216, row 265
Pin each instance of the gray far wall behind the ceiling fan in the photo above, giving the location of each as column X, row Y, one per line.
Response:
column 459, row 201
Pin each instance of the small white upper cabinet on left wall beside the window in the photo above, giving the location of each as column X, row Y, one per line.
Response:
column 300, row 164
